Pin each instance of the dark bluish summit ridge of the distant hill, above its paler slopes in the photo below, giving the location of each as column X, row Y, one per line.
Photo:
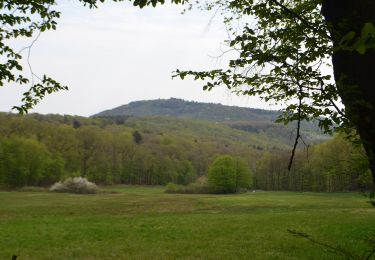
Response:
column 186, row 109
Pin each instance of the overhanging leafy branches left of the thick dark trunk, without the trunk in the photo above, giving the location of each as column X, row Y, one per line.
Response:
column 283, row 51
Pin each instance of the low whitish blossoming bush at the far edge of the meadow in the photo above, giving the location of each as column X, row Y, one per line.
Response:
column 75, row 185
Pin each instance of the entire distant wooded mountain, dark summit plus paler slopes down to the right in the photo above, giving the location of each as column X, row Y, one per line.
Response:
column 250, row 120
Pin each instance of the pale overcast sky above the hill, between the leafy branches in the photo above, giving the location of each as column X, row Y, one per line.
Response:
column 118, row 53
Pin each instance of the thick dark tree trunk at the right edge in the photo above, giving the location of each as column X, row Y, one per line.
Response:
column 354, row 73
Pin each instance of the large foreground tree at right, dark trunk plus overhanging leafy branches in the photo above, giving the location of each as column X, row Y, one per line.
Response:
column 284, row 49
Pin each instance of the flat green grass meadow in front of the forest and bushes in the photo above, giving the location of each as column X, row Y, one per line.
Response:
column 145, row 223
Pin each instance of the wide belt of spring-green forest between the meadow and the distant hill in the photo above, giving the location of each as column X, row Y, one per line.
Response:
column 38, row 150
